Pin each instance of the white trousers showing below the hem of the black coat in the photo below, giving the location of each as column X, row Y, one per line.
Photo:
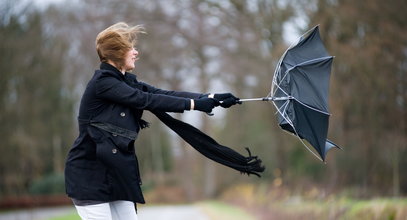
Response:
column 117, row 210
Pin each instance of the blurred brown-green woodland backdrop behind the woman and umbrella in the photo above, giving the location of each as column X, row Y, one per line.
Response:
column 48, row 55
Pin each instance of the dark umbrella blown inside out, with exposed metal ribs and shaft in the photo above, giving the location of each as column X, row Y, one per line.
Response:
column 300, row 89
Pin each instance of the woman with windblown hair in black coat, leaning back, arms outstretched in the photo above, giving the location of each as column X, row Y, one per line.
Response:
column 102, row 174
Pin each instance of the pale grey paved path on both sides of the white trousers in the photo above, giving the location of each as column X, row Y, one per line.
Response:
column 179, row 212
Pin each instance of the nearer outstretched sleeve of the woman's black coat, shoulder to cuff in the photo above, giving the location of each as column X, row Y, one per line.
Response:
column 117, row 91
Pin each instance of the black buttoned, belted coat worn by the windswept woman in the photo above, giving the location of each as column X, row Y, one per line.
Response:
column 102, row 164
